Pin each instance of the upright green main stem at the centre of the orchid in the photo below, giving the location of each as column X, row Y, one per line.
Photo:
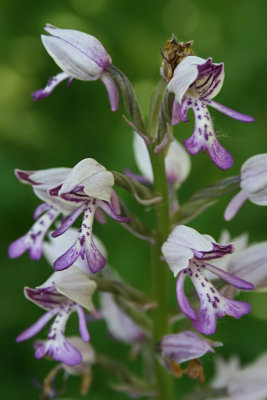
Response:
column 160, row 272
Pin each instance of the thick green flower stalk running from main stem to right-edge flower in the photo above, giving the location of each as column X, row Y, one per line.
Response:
column 203, row 199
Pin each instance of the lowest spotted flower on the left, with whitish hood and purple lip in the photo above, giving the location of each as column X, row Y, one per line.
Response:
column 61, row 295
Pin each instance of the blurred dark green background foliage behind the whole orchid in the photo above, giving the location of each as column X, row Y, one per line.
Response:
column 77, row 122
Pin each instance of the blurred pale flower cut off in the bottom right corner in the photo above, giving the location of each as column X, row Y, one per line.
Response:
column 247, row 383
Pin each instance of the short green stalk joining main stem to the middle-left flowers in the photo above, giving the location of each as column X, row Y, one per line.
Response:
column 140, row 192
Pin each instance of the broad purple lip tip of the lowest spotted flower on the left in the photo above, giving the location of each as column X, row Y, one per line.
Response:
column 63, row 352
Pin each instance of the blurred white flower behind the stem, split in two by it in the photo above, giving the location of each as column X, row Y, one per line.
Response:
column 177, row 162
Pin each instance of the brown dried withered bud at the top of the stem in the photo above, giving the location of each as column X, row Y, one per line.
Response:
column 174, row 53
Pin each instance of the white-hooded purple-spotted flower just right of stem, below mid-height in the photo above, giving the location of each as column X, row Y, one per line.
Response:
column 189, row 253
